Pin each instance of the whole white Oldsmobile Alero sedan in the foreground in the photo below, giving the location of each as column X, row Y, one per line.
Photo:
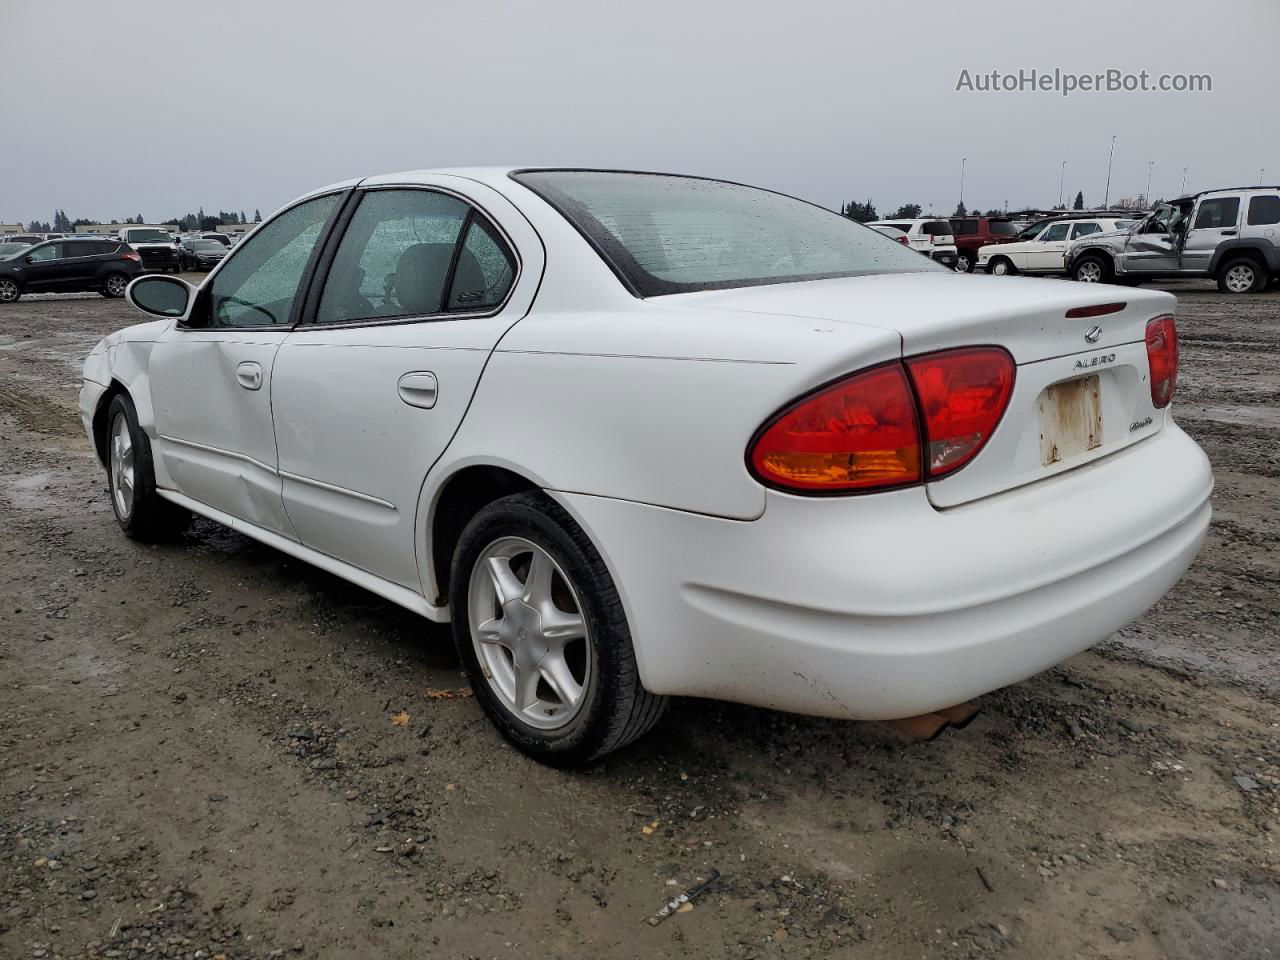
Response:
column 642, row 436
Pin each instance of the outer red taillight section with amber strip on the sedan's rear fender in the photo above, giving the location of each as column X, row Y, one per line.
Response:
column 858, row 435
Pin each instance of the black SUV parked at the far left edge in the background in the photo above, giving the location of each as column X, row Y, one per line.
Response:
column 70, row 267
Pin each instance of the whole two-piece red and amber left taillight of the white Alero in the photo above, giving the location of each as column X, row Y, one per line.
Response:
column 865, row 433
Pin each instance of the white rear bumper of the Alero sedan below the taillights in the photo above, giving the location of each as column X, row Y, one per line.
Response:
column 880, row 607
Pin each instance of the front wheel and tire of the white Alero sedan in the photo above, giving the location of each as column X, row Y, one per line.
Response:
column 140, row 511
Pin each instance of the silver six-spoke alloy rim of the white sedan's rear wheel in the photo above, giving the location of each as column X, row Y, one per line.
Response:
column 529, row 633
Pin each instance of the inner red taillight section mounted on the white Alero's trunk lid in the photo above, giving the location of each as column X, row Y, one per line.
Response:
column 963, row 396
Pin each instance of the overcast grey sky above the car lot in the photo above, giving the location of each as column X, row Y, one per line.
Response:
column 162, row 108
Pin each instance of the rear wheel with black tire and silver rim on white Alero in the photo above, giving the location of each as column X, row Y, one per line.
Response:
column 542, row 634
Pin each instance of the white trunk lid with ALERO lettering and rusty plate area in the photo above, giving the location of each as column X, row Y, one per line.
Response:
column 1082, row 386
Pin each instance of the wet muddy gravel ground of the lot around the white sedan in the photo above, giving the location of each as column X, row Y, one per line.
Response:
column 198, row 757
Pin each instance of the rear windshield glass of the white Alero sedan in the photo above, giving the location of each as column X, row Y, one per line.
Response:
column 679, row 235
